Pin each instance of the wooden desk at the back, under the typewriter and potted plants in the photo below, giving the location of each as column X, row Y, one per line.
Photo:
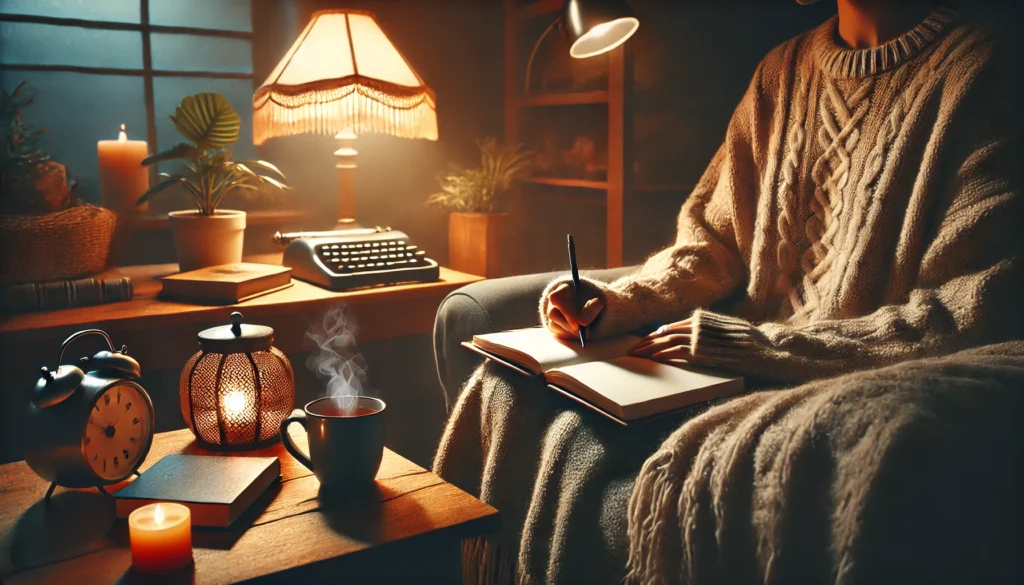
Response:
column 161, row 335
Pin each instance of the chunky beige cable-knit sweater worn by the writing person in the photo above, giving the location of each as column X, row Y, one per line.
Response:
column 865, row 210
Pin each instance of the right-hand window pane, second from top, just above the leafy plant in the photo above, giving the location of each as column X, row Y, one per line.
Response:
column 192, row 53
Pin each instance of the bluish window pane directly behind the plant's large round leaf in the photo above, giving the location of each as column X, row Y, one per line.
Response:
column 168, row 93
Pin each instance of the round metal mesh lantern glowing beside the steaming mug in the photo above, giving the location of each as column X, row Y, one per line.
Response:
column 239, row 389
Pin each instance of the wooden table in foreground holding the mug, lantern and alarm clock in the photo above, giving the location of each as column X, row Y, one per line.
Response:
column 409, row 528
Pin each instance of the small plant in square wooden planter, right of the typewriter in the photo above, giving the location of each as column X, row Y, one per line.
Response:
column 477, row 233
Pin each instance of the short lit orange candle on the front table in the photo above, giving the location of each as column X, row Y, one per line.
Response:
column 161, row 538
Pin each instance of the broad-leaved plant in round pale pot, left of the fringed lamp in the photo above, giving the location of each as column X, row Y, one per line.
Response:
column 208, row 236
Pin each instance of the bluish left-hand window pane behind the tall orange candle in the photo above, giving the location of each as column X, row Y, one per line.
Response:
column 81, row 109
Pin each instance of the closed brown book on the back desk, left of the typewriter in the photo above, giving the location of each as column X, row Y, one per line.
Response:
column 227, row 284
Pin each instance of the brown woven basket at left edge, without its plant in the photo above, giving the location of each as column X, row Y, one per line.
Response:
column 68, row 244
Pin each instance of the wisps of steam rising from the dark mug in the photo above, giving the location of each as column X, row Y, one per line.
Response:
column 338, row 362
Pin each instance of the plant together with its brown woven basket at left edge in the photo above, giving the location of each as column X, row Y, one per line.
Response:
column 45, row 235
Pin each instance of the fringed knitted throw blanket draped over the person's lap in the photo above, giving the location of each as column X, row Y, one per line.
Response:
column 912, row 474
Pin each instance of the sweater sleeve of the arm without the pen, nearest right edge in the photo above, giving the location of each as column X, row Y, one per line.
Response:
column 967, row 289
